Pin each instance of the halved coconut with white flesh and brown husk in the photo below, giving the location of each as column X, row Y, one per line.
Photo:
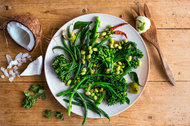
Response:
column 25, row 24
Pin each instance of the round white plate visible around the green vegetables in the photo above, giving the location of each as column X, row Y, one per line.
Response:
column 57, row 86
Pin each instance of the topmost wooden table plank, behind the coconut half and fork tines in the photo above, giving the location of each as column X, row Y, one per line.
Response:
column 53, row 13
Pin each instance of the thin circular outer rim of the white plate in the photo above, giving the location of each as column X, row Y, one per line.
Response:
column 148, row 68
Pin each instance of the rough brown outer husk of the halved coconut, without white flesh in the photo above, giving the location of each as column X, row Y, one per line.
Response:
column 32, row 23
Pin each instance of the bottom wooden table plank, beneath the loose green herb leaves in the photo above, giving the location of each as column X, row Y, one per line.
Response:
column 169, row 106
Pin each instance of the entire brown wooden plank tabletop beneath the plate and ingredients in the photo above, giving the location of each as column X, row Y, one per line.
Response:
column 159, row 104
